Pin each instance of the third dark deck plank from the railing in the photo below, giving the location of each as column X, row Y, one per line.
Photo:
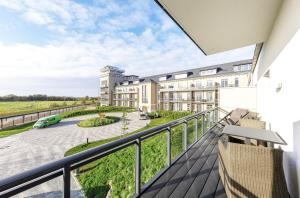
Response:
column 184, row 186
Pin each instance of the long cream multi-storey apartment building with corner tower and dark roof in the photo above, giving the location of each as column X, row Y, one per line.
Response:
column 188, row 90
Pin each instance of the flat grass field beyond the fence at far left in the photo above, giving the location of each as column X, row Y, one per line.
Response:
column 13, row 108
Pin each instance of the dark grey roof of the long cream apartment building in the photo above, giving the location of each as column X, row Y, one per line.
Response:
column 225, row 68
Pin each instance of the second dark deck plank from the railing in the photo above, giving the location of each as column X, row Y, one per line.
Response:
column 168, row 189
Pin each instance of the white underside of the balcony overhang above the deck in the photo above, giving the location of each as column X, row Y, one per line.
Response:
column 221, row 25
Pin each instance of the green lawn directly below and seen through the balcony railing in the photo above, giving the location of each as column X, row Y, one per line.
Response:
column 117, row 169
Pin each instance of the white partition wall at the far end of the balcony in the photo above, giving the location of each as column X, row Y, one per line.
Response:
column 237, row 97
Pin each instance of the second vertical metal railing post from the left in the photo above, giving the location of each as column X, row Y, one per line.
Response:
column 137, row 167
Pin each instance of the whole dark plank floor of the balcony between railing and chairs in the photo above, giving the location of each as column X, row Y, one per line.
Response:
column 195, row 174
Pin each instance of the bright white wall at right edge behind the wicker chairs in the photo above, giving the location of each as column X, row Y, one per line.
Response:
column 278, row 96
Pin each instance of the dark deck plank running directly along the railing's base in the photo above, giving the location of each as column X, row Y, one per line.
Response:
column 162, row 181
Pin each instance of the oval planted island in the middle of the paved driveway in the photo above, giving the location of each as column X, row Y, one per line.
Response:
column 95, row 122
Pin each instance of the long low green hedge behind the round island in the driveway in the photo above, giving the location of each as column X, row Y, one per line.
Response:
column 98, row 109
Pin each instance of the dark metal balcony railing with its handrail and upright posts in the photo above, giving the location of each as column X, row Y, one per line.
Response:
column 18, row 183
